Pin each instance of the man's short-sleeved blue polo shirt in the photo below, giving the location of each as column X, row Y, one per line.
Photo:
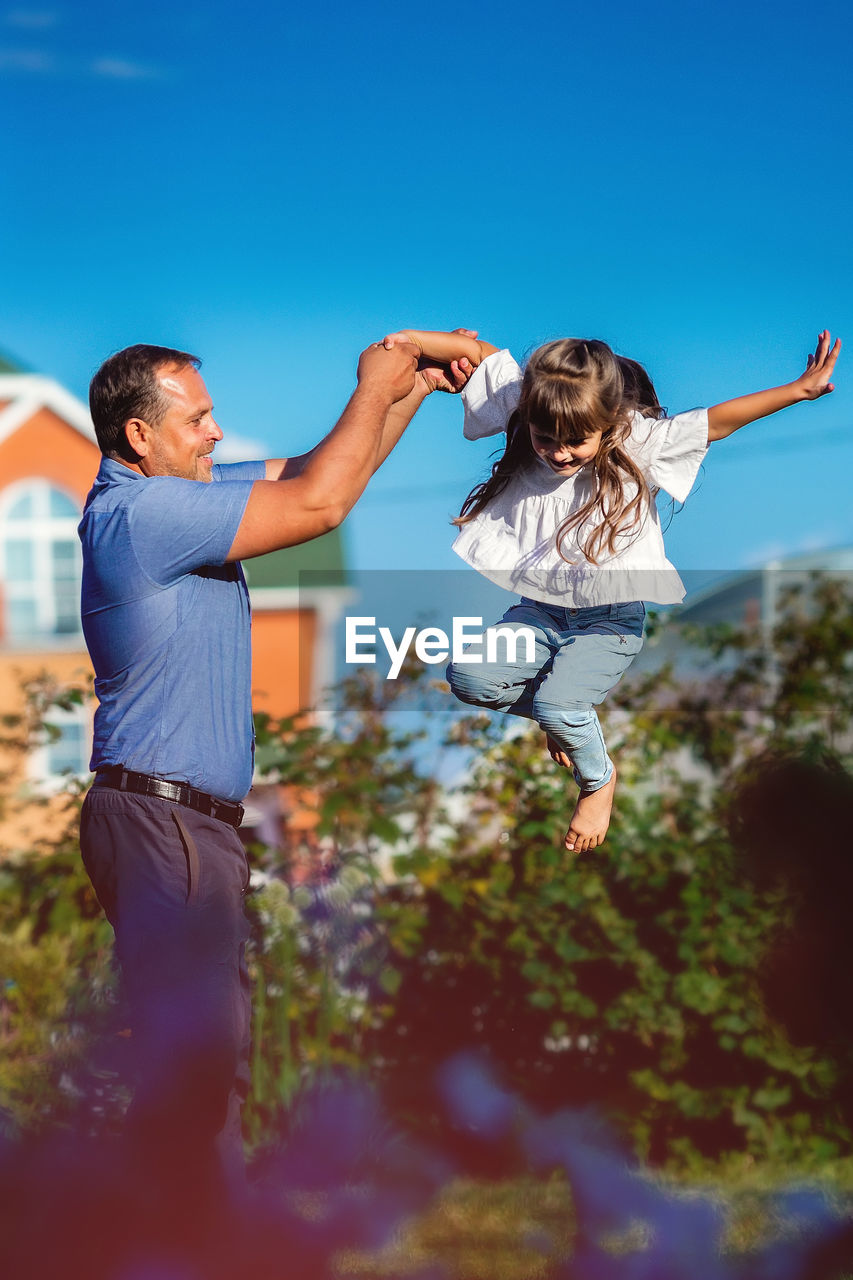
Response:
column 167, row 624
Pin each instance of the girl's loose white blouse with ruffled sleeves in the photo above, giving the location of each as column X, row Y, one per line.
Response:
column 514, row 542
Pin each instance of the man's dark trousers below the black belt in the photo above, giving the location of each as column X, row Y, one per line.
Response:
column 172, row 884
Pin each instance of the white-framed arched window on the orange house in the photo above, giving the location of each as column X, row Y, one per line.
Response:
column 40, row 563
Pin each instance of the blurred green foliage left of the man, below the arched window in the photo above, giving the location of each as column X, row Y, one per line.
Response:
column 58, row 988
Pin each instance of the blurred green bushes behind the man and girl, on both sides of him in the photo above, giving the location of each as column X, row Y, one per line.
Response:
column 437, row 920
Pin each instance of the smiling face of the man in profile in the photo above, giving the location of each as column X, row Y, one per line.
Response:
column 184, row 442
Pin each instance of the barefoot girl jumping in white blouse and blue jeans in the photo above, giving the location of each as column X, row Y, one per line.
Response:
column 568, row 519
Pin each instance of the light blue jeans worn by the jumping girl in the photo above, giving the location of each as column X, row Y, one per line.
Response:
column 580, row 656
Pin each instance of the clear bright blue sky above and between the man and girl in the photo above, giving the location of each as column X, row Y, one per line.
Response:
column 275, row 188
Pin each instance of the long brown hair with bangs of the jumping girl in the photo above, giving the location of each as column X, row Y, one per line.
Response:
column 573, row 388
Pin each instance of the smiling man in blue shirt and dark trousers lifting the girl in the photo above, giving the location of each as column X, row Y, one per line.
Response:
column 167, row 623
